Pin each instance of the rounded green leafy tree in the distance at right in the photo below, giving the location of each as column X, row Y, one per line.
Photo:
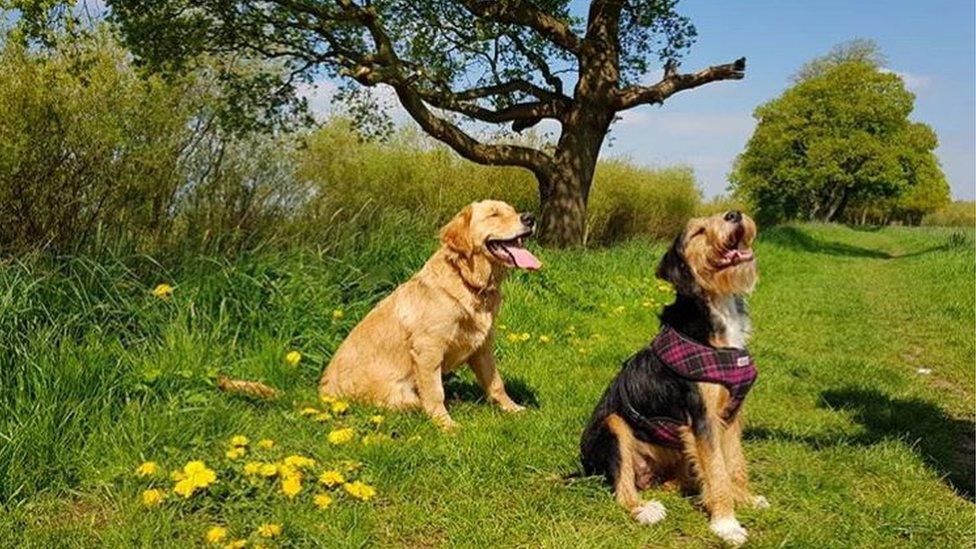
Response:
column 840, row 137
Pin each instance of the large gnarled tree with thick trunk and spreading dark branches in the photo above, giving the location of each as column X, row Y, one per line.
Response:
column 454, row 65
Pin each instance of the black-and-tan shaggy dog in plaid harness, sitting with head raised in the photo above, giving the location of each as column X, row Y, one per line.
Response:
column 673, row 413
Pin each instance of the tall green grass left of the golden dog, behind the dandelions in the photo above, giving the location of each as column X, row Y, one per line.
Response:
column 85, row 344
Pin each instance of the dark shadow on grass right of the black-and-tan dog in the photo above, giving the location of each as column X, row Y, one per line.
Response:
column 946, row 444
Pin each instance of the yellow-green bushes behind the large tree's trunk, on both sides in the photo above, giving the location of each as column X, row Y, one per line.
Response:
column 413, row 174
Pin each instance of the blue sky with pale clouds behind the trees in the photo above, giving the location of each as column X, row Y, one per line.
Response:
column 931, row 44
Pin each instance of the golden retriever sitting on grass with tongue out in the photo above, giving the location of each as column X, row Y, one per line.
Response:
column 438, row 320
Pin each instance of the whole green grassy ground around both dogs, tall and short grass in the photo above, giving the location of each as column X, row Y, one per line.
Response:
column 851, row 444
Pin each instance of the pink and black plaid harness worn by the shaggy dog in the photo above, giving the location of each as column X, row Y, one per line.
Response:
column 691, row 360
